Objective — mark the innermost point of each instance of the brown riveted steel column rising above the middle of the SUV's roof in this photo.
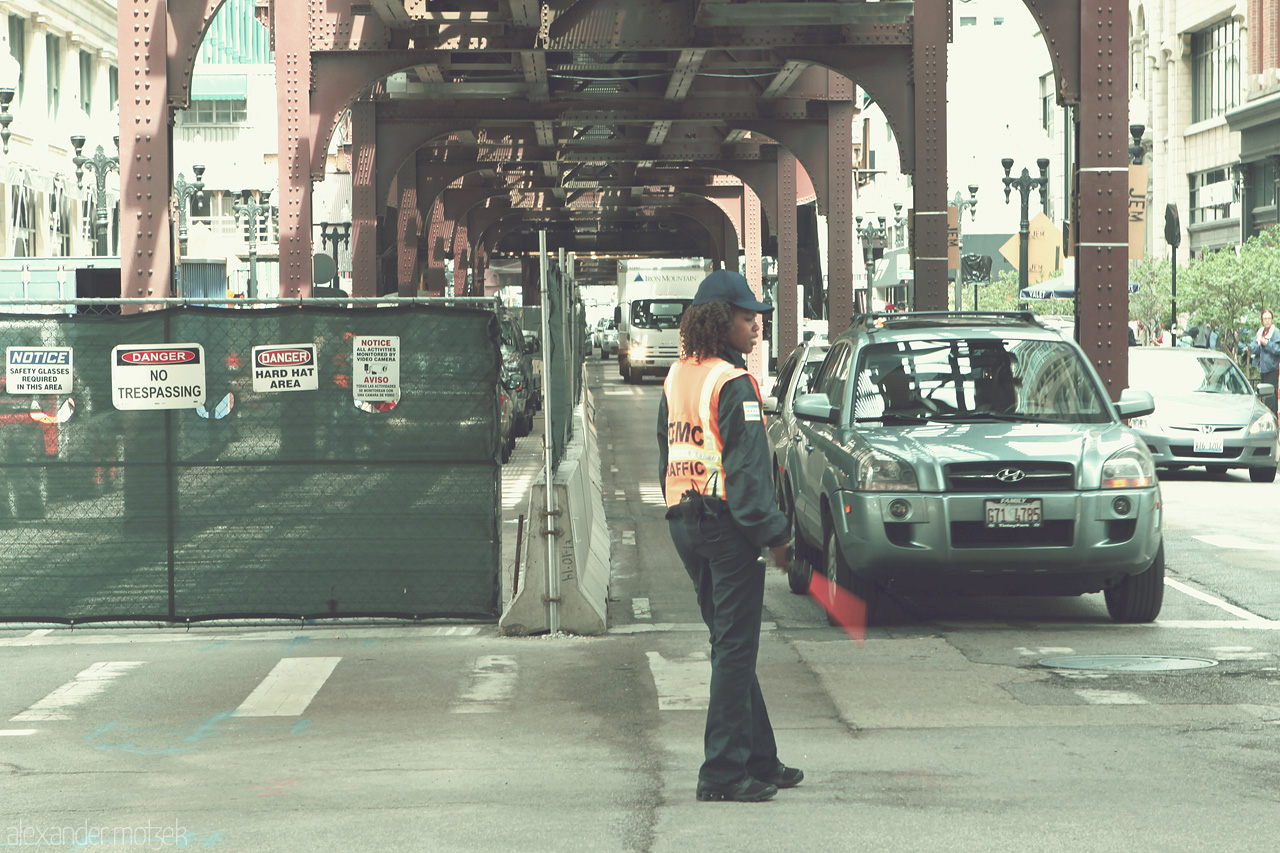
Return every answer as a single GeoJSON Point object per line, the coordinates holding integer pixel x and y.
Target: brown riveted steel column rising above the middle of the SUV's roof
{"type": "Point", "coordinates": [930, 72]}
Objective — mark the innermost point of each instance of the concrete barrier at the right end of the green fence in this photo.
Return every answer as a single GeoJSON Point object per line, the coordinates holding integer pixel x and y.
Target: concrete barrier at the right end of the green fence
{"type": "Point", "coordinates": [582, 544]}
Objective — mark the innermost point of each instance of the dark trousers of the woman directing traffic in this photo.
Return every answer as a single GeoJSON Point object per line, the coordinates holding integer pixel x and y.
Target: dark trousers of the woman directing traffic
{"type": "Point", "coordinates": [730, 583]}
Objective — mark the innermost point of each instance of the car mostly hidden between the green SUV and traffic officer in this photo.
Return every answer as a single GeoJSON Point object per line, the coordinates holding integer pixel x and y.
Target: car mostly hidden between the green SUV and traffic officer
{"type": "Point", "coordinates": [794, 378]}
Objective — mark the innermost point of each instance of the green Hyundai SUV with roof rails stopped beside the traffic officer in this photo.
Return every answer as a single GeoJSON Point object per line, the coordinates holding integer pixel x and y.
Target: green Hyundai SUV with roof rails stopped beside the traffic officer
{"type": "Point", "coordinates": [952, 454]}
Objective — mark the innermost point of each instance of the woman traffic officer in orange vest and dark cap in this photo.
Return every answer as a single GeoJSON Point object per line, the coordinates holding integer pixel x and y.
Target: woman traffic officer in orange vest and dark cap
{"type": "Point", "coordinates": [717, 480]}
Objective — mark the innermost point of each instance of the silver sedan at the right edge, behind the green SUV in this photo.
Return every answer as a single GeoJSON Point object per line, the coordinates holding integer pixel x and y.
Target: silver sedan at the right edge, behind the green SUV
{"type": "Point", "coordinates": [1206, 413]}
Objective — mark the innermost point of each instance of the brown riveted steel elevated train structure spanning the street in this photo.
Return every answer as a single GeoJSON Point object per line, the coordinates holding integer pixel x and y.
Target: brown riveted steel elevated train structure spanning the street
{"type": "Point", "coordinates": [620, 127]}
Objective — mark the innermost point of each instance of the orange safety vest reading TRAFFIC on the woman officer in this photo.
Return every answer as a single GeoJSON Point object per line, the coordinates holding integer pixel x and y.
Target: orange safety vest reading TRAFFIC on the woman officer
{"type": "Point", "coordinates": [694, 445]}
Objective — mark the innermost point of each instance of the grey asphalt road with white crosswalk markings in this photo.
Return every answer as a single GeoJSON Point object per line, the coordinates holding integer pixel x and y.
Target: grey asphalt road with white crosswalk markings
{"type": "Point", "coordinates": [944, 732]}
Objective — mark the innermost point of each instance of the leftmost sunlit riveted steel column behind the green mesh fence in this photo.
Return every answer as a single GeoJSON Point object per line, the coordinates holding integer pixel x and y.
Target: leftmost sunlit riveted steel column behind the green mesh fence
{"type": "Point", "coordinates": [147, 256]}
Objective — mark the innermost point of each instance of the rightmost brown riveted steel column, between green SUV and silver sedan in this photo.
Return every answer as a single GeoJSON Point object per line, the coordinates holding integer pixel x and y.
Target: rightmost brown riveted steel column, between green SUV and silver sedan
{"type": "Point", "coordinates": [1103, 181]}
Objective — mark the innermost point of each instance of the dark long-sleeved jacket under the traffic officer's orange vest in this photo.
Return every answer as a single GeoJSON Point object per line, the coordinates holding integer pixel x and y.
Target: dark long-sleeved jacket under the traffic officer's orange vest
{"type": "Point", "coordinates": [748, 472]}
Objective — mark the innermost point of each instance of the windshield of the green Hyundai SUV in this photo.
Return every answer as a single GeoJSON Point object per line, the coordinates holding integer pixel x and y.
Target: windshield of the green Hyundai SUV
{"type": "Point", "coordinates": [976, 380]}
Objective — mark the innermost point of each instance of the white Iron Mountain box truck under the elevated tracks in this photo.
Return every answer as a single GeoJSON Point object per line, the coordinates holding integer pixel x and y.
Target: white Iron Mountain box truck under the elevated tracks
{"type": "Point", "coordinates": [652, 298]}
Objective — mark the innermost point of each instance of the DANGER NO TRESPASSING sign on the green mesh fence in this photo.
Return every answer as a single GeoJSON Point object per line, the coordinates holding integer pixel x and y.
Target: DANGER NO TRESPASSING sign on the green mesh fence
{"type": "Point", "coordinates": [158, 376]}
